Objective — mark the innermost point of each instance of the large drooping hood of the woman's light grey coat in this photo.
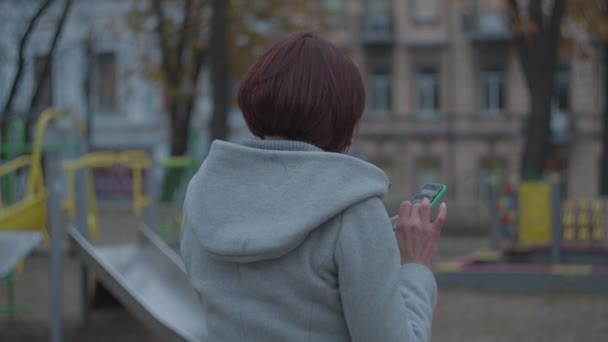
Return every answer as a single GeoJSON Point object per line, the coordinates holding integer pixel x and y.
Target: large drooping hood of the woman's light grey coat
{"type": "Point", "coordinates": [260, 199]}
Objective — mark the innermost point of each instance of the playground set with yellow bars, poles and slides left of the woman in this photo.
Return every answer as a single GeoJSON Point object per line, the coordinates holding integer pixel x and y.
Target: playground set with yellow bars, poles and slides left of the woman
{"type": "Point", "coordinates": [146, 275]}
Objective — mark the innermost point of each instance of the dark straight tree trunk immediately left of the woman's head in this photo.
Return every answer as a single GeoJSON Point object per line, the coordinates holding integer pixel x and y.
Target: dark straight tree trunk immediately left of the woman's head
{"type": "Point", "coordinates": [219, 70]}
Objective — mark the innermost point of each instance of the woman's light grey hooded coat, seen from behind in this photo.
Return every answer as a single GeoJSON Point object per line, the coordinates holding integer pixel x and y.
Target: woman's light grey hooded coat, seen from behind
{"type": "Point", "coordinates": [286, 242]}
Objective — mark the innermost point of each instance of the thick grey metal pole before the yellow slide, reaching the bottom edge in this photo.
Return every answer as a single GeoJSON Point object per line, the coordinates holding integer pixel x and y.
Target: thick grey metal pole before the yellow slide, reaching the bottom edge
{"type": "Point", "coordinates": [57, 234]}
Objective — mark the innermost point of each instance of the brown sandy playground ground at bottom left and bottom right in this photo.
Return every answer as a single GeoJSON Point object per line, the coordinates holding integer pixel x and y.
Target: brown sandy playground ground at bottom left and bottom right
{"type": "Point", "coordinates": [461, 315]}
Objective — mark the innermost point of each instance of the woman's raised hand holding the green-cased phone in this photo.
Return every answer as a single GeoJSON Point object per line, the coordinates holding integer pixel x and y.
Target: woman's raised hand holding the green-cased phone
{"type": "Point", "coordinates": [418, 237]}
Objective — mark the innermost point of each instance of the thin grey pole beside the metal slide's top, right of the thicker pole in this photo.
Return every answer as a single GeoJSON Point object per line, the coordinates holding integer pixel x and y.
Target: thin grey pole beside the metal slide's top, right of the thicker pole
{"type": "Point", "coordinates": [83, 227]}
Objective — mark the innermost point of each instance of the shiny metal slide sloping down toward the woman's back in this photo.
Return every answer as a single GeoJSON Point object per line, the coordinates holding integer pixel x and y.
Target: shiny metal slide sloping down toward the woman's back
{"type": "Point", "coordinates": [149, 279]}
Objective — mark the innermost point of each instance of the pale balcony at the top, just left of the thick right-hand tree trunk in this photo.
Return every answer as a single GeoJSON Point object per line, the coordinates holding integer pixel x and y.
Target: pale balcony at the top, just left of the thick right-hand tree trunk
{"type": "Point", "coordinates": [486, 25]}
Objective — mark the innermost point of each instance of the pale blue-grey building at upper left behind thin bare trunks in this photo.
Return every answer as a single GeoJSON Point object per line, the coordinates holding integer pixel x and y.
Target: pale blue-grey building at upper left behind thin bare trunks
{"type": "Point", "coordinates": [96, 70]}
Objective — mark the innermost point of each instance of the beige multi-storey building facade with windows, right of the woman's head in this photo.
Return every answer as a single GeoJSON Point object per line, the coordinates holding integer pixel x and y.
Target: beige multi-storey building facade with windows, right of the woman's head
{"type": "Point", "coordinates": [447, 99]}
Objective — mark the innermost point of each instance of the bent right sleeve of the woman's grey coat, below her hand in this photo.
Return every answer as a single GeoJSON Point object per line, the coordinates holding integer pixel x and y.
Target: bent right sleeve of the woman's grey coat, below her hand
{"type": "Point", "coordinates": [382, 299]}
